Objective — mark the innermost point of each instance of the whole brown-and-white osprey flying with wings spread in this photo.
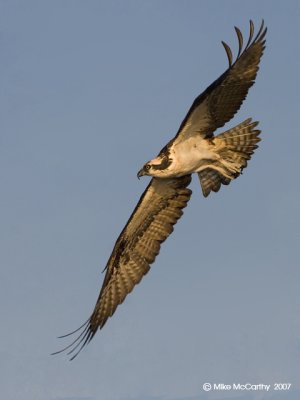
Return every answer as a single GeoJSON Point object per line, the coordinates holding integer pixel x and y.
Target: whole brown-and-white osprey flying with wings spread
{"type": "Point", "coordinates": [216, 159]}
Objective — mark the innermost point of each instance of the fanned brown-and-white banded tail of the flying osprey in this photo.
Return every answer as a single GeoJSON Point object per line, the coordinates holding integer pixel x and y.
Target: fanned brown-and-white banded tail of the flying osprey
{"type": "Point", "coordinates": [234, 147]}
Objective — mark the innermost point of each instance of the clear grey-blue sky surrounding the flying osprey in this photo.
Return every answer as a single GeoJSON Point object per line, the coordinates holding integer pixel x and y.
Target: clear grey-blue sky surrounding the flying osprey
{"type": "Point", "coordinates": [90, 90]}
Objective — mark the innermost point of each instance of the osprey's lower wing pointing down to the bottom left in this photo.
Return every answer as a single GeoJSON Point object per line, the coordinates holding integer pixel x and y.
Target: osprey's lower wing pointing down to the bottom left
{"type": "Point", "coordinates": [150, 224]}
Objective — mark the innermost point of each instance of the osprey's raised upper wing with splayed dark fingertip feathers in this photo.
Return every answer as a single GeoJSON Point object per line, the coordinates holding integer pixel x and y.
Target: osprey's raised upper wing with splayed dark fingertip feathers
{"type": "Point", "coordinates": [223, 98]}
